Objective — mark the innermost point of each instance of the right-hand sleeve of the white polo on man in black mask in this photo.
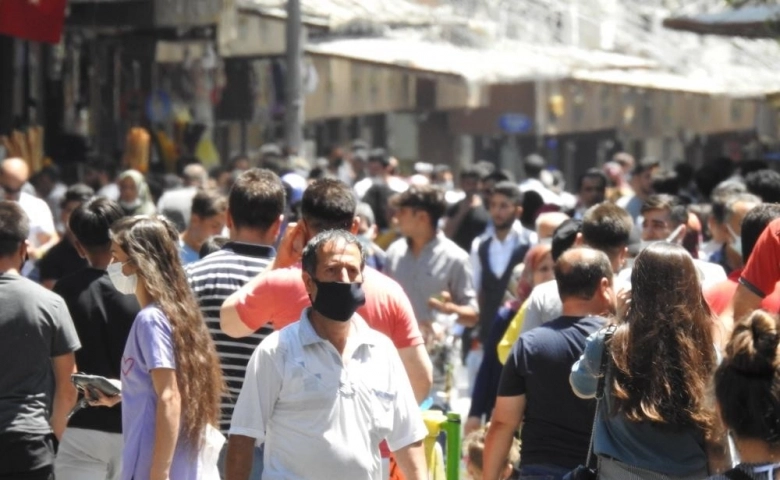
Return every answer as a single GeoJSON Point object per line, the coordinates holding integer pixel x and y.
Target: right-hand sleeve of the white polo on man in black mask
{"type": "Point", "coordinates": [408, 425]}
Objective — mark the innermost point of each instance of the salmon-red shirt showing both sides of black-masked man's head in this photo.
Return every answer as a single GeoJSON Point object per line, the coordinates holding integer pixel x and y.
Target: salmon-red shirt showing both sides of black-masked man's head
{"type": "Point", "coordinates": [281, 296]}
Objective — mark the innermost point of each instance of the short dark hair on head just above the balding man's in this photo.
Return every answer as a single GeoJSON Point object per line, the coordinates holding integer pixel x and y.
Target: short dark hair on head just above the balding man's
{"type": "Point", "coordinates": [606, 227]}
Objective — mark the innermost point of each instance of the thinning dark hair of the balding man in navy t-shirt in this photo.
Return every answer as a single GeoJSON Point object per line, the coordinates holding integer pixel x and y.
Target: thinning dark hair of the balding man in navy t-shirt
{"type": "Point", "coordinates": [579, 272]}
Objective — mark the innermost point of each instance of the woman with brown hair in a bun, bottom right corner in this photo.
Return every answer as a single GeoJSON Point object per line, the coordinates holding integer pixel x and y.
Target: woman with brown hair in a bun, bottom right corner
{"type": "Point", "coordinates": [747, 387]}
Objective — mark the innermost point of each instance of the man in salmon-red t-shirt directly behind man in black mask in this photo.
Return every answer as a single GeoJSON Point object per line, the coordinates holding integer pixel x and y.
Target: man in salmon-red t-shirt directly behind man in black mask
{"type": "Point", "coordinates": [278, 295]}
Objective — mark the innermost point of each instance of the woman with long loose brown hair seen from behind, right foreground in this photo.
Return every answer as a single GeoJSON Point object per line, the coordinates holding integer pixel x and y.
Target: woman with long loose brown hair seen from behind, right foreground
{"type": "Point", "coordinates": [656, 420]}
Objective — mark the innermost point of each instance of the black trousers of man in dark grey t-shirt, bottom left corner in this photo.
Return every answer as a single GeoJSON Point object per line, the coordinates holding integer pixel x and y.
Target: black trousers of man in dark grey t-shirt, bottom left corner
{"type": "Point", "coordinates": [27, 456]}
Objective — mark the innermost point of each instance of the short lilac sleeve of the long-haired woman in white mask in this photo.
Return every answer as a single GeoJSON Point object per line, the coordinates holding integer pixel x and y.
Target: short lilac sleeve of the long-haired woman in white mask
{"type": "Point", "coordinates": [155, 340]}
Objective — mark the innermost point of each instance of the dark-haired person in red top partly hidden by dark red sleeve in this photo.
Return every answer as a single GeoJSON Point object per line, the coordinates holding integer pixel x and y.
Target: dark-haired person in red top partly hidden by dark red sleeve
{"type": "Point", "coordinates": [719, 295]}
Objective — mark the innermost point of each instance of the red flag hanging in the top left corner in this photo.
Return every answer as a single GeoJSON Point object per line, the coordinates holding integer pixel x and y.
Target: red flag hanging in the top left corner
{"type": "Point", "coordinates": [37, 20]}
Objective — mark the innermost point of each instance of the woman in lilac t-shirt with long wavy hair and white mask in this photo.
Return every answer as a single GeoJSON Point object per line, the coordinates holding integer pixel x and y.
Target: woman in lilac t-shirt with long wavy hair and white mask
{"type": "Point", "coordinates": [171, 378]}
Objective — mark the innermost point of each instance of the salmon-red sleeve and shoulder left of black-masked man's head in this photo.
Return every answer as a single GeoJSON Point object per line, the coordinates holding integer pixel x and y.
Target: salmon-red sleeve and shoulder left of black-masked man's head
{"type": "Point", "coordinates": [279, 299]}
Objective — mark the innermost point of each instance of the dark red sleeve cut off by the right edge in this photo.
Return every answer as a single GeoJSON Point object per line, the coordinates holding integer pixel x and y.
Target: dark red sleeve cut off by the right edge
{"type": "Point", "coordinates": [762, 271]}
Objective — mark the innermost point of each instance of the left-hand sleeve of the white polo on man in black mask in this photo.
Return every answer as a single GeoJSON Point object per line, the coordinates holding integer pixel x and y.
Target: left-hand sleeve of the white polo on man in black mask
{"type": "Point", "coordinates": [262, 384]}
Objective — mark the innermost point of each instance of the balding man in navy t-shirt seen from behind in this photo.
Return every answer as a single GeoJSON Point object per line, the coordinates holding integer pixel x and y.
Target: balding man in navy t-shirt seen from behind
{"type": "Point", "coordinates": [534, 388]}
